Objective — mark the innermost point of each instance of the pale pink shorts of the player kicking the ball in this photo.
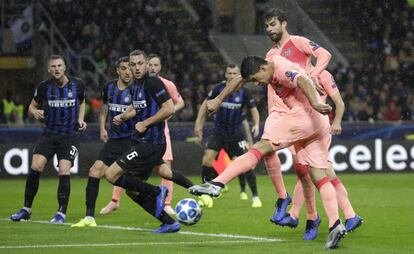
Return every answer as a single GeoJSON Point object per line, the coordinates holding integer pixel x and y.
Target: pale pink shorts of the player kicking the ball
{"type": "Point", "coordinates": [306, 129]}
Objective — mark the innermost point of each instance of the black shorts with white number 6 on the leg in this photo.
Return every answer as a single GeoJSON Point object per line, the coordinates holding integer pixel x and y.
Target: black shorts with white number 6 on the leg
{"type": "Point", "coordinates": [139, 160]}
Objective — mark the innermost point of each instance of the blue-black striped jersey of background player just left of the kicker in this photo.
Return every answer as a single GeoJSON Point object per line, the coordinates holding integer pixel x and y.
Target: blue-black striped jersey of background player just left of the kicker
{"type": "Point", "coordinates": [229, 118]}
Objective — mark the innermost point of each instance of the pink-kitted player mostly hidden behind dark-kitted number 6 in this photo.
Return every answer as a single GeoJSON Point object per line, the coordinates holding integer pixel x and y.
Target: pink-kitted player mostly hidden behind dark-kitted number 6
{"type": "Point", "coordinates": [154, 66]}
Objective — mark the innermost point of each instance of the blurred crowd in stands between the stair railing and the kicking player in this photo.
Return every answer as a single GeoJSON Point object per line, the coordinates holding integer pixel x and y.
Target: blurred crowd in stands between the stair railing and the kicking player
{"type": "Point", "coordinates": [106, 30]}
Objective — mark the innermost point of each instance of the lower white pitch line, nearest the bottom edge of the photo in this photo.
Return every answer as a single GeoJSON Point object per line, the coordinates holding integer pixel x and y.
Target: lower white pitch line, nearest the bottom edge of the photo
{"type": "Point", "coordinates": [122, 244]}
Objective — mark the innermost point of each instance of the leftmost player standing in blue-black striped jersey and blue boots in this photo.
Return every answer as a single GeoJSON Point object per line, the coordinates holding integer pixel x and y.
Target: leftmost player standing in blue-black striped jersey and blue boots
{"type": "Point", "coordinates": [59, 102]}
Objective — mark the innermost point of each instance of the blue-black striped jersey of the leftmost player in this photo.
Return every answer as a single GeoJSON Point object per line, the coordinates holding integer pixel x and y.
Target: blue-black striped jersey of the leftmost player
{"type": "Point", "coordinates": [60, 105]}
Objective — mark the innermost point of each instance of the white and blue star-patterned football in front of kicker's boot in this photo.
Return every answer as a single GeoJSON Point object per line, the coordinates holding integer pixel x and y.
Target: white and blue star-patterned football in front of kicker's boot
{"type": "Point", "coordinates": [188, 211]}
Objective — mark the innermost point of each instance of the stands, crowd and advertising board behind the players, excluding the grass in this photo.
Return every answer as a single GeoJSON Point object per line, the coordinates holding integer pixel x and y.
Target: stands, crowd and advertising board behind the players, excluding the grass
{"type": "Point", "coordinates": [371, 43]}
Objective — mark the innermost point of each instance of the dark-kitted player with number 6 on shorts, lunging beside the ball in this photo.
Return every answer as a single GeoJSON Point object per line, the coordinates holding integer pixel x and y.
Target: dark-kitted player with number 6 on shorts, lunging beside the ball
{"type": "Point", "coordinates": [151, 107]}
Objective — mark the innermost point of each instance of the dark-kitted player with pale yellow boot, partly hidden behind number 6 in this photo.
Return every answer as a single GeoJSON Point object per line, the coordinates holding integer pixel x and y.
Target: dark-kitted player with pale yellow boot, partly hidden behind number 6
{"type": "Point", "coordinates": [116, 98]}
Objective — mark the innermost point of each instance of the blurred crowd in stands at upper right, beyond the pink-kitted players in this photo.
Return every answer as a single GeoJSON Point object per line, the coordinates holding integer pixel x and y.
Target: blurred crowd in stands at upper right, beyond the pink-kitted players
{"type": "Point", "coordinates": [382, 88]}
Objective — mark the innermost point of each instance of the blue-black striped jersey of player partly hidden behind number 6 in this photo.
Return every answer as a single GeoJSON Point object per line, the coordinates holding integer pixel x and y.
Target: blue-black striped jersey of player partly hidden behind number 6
{"type": "Point", "coordinates": [118, 101]}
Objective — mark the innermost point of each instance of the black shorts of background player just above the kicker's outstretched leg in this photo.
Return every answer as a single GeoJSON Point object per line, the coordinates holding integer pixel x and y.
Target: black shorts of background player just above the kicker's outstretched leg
{"type": "Point", "coordinates": [235, 146]}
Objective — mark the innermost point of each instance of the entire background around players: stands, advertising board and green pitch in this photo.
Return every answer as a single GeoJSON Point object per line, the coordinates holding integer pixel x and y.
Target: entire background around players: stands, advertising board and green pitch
{"type": "Point", "coordinates": [373, 59]}
